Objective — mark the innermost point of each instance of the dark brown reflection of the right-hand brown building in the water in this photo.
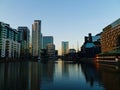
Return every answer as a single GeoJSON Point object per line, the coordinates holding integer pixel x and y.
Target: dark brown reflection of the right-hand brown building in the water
{"type": "Point", "coordinates": [110, 77]}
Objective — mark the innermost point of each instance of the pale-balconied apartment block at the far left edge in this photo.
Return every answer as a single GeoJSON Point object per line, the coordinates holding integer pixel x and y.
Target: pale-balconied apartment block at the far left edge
{"type": "Point", "coordinates": [9, 45]}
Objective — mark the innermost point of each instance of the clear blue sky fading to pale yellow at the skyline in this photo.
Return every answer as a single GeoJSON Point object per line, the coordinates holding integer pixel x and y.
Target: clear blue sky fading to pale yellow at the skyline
{"type": "Point", "coordinates": [65, 20]}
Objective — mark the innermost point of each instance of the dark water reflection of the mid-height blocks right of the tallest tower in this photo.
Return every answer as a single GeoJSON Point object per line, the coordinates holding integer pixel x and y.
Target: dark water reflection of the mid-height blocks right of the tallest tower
{"type": "Point", "coordinates": [47, 75]}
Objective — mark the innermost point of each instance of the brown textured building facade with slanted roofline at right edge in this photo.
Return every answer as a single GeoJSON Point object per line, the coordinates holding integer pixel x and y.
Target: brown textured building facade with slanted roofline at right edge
{"type": "Point", "coordinates": [110, 38]}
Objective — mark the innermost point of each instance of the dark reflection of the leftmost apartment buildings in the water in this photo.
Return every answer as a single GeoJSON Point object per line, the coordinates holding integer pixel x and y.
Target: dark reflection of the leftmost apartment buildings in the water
{"type": "Point", "coordinates": [13, 76]}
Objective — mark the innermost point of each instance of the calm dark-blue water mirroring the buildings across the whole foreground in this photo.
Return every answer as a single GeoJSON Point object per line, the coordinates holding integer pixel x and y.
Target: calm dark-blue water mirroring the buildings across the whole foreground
{"type": "Point", "coordinates": [58, 75]}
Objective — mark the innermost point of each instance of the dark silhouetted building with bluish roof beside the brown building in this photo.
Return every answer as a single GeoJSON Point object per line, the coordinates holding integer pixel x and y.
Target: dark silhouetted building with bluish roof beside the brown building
{"type": "Point", "coordinates": [91, 46]}
